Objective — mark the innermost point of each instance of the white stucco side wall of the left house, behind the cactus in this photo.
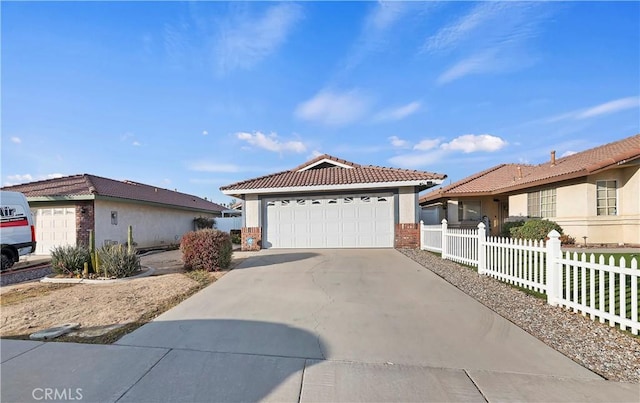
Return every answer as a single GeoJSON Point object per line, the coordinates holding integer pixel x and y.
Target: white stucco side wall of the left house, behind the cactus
{"type": "Point", "coordinates": [152, 226]}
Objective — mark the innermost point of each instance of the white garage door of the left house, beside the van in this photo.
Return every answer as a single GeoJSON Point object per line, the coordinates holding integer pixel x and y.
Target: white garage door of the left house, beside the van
{"type": "Point", "coordinates": [54, 227]}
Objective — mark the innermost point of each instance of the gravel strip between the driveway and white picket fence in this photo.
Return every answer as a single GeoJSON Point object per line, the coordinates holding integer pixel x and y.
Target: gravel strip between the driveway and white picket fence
{"type": "Point", "coordinates": [607, 351]}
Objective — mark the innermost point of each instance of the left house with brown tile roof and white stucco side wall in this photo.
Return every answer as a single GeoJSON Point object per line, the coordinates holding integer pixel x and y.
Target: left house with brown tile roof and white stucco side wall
{"type": "Point", "coordinates": [66, 208]}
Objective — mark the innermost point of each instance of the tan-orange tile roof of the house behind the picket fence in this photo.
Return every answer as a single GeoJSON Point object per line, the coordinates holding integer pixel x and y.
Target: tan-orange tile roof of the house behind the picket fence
{"type": "Point", "coordinates": [510, 177]}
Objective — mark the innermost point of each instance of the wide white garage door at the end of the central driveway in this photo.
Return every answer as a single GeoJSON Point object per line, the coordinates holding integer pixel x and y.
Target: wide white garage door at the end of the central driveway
{"type": "Point", "coordinates": [330, 222]}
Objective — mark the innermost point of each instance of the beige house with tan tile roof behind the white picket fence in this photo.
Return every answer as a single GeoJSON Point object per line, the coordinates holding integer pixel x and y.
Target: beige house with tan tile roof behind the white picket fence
{"type": "Point", "coordinates": [593, 194]}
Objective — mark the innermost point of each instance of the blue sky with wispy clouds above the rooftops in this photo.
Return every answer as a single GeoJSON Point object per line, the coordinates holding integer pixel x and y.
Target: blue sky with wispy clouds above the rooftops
{"type": "Point", "coordinates": [193, 96]}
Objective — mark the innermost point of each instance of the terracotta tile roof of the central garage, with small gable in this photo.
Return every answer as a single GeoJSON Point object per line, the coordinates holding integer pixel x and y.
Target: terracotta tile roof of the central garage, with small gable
{"type": "Point", "coordinates": [334, 175]}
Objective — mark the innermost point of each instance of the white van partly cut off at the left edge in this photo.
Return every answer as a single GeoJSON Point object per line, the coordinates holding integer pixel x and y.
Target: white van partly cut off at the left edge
{"type": "Point", "coordinates": [17, 231]}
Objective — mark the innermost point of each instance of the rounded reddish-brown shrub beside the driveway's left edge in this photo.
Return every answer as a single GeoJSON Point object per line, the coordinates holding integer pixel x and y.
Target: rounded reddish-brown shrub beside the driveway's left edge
{"type": "Point", "coordinates": [206, 249]}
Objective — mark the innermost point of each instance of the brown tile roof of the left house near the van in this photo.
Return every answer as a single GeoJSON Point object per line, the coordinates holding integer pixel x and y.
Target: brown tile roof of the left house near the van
{"type": "Point", "coordinates": [86, 185]}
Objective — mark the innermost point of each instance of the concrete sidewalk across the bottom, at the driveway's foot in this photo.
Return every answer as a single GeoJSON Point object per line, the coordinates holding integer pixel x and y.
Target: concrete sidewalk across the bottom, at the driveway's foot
{"type": "Point", "coordinates": [36, 371]}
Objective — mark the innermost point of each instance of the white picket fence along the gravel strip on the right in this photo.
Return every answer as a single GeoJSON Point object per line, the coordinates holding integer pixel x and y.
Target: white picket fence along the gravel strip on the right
{"type": "Point", "coordinates": [575, 281]}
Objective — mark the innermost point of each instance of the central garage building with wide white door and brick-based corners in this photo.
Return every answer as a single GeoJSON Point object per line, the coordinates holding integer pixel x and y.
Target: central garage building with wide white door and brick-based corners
{"type": "Point", "coordinates": [332, 203]}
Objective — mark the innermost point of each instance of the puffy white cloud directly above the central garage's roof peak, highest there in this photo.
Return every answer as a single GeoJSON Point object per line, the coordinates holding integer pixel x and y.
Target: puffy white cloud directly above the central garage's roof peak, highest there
{"type": "Point", "coordinates": [334, 108]}
